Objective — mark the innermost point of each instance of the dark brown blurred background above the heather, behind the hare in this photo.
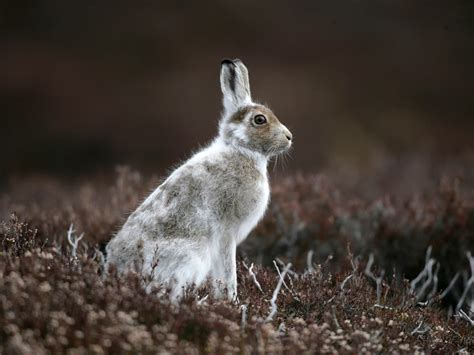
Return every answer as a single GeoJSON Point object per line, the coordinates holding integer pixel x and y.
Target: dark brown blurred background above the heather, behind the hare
{"type": "Point", "coordinates": [86, 85]}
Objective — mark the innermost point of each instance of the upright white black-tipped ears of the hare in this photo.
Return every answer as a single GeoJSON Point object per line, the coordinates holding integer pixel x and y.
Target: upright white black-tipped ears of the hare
{"type": "Point", "coordinates": [235, 84]}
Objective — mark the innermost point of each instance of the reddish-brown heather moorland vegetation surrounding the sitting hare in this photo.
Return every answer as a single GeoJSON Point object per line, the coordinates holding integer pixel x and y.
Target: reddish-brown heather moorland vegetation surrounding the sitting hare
{"type": "Point", "coordinates": [54, 302]}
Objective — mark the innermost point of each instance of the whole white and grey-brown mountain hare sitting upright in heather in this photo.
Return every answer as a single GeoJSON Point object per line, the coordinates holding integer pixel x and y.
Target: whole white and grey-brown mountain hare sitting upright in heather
{"type": "Point", "coordinates": [188, 229]}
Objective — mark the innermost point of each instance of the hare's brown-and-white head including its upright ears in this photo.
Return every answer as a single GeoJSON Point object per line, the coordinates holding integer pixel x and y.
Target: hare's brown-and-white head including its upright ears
{"type": "Point", "coordinates": [245, 123]}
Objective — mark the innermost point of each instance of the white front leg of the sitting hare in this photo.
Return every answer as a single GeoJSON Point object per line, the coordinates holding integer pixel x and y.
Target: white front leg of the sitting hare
{"type": "Point", "coordinates": [225, 270]}
